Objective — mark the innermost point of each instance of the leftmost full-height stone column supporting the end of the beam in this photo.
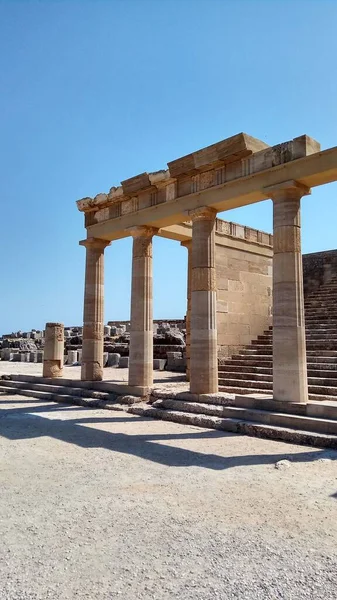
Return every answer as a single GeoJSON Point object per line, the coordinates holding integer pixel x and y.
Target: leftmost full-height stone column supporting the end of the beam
{"type": "Point", "coordinates": [93, 313]}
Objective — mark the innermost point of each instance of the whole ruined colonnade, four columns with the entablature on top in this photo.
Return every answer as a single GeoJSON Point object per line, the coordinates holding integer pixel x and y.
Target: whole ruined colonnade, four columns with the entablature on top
{"type": "Point", "coordinates": [182, 203]}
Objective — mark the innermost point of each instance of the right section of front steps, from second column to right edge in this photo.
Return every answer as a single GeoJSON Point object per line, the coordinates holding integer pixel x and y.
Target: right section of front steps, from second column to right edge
{"type": "Point", "coordinates": [312, 424]}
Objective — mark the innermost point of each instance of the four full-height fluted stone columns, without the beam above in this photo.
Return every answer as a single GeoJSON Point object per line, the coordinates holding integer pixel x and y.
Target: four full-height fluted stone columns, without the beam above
{"type": "Point", "coordinates": [289, 353]}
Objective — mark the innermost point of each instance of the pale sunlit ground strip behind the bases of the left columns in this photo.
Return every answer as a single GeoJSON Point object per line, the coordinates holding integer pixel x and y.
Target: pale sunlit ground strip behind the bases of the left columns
{"type": "Point", "coordinates": [162, 379]}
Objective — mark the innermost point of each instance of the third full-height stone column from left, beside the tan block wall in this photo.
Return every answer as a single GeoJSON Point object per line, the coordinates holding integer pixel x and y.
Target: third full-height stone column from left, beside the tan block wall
{"type": "Point", "coordinates": [204, 351]}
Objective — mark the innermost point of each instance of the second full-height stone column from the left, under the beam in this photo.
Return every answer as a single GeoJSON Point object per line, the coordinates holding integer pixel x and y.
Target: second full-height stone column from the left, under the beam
{"type": "Point", "coordinates": [141, 326]}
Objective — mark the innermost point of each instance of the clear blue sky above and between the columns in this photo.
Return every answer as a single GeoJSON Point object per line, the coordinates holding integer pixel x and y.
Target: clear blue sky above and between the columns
{"type": "Point", "coordinates": [96, 92]}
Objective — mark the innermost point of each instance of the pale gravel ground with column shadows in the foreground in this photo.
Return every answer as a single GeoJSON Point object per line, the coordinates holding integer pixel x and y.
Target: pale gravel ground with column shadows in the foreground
{"type": "Point", "coordinates": [101, 505]}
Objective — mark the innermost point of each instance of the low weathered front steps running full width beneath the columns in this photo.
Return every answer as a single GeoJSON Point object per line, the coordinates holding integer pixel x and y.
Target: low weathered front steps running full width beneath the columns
{"type": "Point", "coordinates": [314, 424]}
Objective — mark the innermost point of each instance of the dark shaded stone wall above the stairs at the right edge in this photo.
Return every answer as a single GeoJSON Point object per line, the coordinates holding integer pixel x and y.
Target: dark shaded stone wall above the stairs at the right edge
{"type": "Point", "coordinates": [318, 268]}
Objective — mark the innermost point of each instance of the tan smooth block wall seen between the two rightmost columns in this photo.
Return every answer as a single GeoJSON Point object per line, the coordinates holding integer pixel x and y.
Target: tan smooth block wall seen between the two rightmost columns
{"type": "Point", "coordinates": [244, 285]}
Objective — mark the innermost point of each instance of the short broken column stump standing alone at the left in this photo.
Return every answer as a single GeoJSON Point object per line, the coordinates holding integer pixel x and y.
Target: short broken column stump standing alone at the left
{"type": "Point", "coordinates": [53, 350]}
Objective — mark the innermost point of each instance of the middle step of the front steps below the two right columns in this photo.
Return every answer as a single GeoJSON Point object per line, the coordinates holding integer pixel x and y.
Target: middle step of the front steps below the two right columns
{"type": "Point", "coordinates": [294, 421]}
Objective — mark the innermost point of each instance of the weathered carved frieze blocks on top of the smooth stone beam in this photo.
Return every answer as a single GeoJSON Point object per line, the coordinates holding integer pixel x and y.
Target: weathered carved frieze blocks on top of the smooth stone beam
{"type": "Point", "coordinates": [237, 157]}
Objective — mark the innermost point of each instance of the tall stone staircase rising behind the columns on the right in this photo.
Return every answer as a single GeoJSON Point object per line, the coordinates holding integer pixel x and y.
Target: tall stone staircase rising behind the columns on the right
{"type": "Point", "coordinates": [251, 370]}
